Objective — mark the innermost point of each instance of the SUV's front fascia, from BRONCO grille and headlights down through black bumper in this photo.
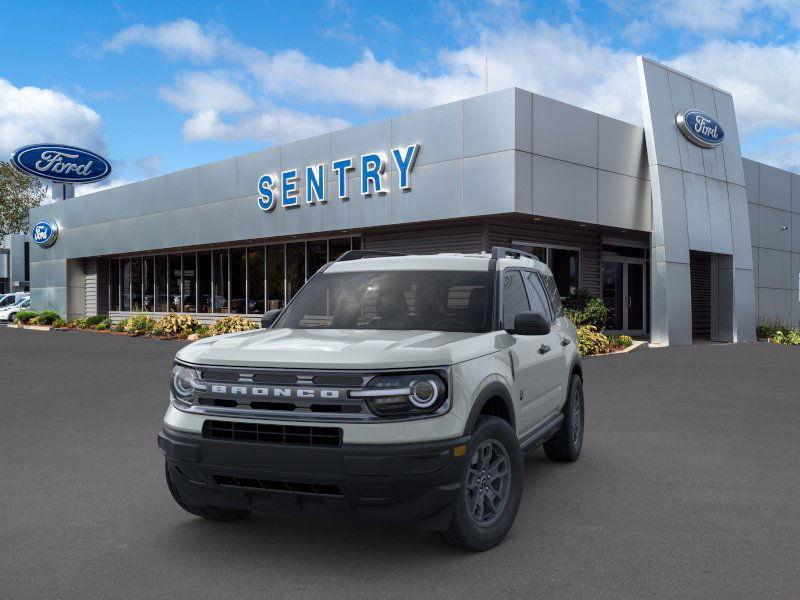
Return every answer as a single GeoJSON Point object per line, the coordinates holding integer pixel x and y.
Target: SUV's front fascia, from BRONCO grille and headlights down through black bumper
{"type": "Point", "coordinates": [383, 444]}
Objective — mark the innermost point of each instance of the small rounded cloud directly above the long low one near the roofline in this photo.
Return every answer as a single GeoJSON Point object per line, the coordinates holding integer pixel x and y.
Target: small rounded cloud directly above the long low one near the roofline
{"type": "Point", "coordinates": [198, 90]}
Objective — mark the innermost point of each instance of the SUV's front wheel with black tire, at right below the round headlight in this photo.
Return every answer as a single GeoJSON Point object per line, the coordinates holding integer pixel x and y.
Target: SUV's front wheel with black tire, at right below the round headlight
{"type": "Point", "coordinates": [478, 532]}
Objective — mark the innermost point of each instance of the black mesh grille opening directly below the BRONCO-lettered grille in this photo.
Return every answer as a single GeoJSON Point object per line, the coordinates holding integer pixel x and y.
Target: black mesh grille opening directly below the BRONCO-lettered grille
{"type": "Point", "coordinates": [262, 433]}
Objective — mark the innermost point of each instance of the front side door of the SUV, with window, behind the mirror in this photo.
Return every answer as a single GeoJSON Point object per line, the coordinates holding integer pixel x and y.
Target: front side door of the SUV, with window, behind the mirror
{"type": "Point", "coordinates": [529, 354]}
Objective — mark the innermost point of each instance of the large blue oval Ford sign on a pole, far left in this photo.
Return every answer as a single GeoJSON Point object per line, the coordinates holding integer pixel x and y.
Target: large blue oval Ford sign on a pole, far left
{"type": "Point", "coordinates": [65, 164]}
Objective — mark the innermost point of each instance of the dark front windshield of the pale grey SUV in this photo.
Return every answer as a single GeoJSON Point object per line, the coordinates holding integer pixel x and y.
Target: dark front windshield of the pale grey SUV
{"type": "Point", "coordinates": [404, 300]}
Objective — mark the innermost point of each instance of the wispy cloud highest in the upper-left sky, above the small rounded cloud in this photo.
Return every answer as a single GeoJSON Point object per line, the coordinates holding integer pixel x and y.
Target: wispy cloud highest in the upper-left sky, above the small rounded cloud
{"type": "Point", "coordinates": [181, 38]}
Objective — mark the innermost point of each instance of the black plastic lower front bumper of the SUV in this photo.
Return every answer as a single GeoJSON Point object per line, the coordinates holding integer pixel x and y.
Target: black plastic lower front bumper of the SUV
{"type": "Point", "coordinates": [396, 482]}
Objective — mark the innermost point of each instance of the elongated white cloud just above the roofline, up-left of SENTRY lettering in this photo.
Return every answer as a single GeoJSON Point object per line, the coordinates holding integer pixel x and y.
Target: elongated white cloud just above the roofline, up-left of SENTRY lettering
{"type": "Point", "coordinates": [276, 126]}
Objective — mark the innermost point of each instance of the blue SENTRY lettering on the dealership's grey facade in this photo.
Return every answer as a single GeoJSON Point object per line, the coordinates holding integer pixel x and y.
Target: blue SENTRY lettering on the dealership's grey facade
{"type": "Point", "coordinates": [284, 189]}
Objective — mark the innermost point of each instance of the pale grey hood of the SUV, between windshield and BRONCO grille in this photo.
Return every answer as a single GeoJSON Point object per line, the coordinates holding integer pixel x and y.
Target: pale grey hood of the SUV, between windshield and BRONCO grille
{"type": "Point", "coordinates": [339, 348]}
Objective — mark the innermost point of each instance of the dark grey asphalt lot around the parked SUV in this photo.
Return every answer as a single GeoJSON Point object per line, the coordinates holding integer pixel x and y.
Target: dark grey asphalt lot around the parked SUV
{"type": "Point", "coordinates": [688, 487]}
